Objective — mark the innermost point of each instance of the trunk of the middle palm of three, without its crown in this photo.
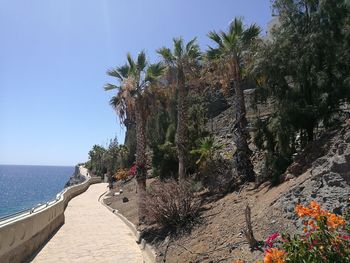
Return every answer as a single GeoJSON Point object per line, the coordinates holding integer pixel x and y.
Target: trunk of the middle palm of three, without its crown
{"type": "Point", "coordinates": [182, 123]}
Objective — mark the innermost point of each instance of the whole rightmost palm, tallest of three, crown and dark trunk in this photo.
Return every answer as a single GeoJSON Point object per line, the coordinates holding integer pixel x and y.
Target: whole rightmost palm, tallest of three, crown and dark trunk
{"type": "Point", "coordinates": [231, 49]}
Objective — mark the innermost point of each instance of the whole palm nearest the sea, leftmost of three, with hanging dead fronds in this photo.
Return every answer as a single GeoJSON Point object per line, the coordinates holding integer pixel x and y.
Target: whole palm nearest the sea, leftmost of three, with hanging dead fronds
{"type": "Point", "coordinates": [131, 101]}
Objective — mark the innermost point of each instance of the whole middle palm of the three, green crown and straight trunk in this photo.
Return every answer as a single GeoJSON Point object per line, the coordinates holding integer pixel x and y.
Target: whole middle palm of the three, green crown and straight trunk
{"type": "Point", "coordinates": [184, 60]}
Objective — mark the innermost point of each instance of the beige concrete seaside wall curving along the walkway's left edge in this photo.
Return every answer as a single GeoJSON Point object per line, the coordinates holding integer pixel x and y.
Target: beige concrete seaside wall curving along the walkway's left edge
{"type": "Point", "coordinates": [23, 235]}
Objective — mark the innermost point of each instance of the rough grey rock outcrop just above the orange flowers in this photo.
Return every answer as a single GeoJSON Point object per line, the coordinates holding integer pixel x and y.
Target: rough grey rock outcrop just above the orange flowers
{"type": "Point", "coordinates": [329, 180]}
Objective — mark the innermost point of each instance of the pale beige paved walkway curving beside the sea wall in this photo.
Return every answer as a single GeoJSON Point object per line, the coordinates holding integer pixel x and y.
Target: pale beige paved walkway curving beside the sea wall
{"type": "Point", "coordinates": [91, 233]}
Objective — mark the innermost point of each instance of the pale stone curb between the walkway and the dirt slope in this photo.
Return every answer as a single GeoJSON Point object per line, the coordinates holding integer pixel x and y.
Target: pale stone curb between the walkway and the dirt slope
{"type": "Point", "coordinates": [148, 252]}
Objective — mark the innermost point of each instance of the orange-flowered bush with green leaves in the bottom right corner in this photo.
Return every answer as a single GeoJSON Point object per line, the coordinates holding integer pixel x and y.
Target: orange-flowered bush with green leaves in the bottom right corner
{"type": "Point", "coordinates": [325, 239]}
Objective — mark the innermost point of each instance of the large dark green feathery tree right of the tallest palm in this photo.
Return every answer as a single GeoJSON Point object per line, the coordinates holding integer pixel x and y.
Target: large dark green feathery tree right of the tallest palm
{"type": "Point", "coordinates": [305, 67]}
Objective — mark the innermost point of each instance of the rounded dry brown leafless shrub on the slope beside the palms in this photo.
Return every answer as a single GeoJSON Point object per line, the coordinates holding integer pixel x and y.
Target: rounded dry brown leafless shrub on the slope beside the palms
{"type": "Point", "coordinates": [172, 205]}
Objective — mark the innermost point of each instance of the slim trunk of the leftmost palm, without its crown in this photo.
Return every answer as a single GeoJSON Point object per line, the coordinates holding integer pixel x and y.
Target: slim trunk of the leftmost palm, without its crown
{"type": "Point", "coordinates": [141, 162]}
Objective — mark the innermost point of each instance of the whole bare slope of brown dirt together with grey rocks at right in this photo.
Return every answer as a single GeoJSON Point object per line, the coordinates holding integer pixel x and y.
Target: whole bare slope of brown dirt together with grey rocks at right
{"type": "Point", "coordinates": [218, 235]}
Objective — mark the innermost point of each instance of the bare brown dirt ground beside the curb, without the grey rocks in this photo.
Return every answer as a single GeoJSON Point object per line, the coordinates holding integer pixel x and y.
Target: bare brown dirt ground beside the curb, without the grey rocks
{"type": "Point", "coordinates": [218, 236]}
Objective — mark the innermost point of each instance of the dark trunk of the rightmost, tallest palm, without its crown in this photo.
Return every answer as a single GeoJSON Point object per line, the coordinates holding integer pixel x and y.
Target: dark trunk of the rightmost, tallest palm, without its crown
{"type": "Point", "coordinates": [241, 158]}
